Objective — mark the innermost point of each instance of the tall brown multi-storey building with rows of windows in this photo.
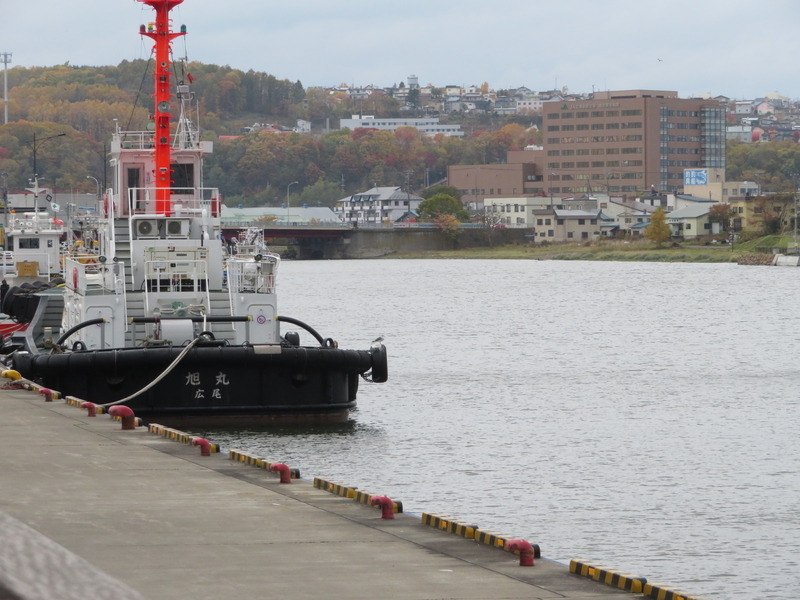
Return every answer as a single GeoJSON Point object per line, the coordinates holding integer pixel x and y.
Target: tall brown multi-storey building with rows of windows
{"type": "Point", "coordinates": [629, 141]}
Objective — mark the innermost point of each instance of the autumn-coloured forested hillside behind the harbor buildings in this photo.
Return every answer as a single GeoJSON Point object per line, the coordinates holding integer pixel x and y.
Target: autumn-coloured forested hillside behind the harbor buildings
{"type": "Point", "coordinates": [87, 103]}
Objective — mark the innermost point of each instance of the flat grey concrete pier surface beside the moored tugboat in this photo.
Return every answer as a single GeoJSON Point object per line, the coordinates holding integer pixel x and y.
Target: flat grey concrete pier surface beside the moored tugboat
{"type": "Point", "coordinates": [158, 517]}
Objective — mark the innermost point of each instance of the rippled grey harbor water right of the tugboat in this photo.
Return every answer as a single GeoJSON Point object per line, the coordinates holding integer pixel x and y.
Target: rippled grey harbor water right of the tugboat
{"type": "Point", "coordinates": [641, 416]}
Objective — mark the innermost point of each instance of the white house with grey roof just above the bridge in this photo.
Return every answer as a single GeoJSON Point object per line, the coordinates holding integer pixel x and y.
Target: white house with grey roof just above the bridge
{"type": "Point", "coordinates": [378, 205]}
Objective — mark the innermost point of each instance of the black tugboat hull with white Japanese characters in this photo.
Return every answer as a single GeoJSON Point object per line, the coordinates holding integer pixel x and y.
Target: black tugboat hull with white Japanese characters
{"type": "Point", "coordinates": [213, 384]}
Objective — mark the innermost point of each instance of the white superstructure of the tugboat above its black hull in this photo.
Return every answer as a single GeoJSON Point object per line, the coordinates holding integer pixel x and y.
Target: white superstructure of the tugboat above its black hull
{"type": "Point", "coordinates": [161, 261]}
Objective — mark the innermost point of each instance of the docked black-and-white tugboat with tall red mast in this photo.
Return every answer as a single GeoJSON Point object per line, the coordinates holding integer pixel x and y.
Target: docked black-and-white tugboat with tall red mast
{"type": "Point", "coordinates": [163, 321]}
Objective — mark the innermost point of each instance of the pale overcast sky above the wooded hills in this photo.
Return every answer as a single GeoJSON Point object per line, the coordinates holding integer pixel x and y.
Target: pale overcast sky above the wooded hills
{"type": "Point", "coordinates": [725, 47]}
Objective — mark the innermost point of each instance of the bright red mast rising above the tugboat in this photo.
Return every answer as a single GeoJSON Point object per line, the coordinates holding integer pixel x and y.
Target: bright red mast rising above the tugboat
{"type": "Point", "coordinates": [162, 35]}
